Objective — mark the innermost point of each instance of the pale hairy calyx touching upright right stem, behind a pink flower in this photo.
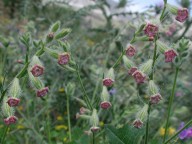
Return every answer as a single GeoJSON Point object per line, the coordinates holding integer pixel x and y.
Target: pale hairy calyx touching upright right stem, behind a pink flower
{"type": "Point", "coordinates": [146, 67]}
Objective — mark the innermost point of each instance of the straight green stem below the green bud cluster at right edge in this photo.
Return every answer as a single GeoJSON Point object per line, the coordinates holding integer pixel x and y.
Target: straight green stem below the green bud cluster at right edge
{"type": "Point", "coordinates": [170, 103]}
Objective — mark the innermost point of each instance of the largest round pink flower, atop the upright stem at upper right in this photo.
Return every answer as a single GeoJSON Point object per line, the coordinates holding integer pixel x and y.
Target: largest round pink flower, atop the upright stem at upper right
{"type": "Point", "coordinates": [151, 30]}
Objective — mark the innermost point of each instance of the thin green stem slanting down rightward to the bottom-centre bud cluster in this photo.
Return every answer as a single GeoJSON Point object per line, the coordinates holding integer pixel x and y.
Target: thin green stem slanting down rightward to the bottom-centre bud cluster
{"type": "Point", "coordinates": [85, 97]}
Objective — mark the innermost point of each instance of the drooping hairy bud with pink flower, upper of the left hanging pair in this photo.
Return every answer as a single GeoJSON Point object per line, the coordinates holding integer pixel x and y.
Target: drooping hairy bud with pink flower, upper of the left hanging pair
{"type": "Point", "coordinates": [37, 68]}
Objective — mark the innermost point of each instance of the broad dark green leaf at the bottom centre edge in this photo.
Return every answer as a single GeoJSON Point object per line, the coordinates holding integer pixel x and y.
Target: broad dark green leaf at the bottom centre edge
{"type": "Point", "coordinates": [125, 135]}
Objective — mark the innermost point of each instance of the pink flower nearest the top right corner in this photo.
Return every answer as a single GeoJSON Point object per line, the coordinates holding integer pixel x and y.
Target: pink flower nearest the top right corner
{"type": "Point", "coordinates": [182, 15]}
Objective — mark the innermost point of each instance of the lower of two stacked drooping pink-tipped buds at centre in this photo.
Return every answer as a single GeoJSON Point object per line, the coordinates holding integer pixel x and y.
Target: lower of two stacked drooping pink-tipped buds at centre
{"type": "Point", "coordinates": [105, 104]}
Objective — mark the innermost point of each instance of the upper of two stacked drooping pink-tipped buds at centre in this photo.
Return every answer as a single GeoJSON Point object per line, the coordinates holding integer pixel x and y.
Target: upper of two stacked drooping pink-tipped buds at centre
{"type": "Point", "coordinates": [109, 80]}
